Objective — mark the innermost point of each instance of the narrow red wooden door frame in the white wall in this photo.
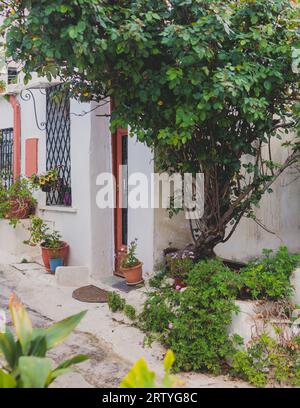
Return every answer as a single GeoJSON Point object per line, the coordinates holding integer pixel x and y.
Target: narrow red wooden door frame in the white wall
{"type": "Point", "coordinates": [120, 248]}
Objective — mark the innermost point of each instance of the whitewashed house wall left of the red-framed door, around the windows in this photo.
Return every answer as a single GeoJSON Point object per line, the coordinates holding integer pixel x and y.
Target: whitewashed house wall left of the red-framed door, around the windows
{"type": "Point", "coordinates": [87, 229]}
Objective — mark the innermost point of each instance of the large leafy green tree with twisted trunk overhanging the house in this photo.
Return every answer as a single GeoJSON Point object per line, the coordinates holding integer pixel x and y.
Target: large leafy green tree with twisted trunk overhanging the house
{"type": "Point", "coordinates": [206, 83]}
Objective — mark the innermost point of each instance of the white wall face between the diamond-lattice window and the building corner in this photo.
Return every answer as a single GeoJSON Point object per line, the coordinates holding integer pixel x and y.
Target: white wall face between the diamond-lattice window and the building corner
{"type": "Point", "coordinates": [74, 222]}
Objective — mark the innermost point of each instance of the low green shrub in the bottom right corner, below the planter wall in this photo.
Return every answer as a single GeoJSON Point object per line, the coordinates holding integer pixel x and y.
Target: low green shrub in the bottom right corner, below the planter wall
{"type": "Point", "coordinates": [267, 361]}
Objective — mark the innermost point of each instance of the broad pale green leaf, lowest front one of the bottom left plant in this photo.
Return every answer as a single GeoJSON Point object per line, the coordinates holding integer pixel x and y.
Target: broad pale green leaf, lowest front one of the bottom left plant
{"type": "Point", "coordinates": [34, 371]}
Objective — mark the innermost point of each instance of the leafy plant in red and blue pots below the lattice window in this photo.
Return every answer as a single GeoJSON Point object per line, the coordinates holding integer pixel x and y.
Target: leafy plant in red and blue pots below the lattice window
{"type": "Point", "coordinates": [52, 246]}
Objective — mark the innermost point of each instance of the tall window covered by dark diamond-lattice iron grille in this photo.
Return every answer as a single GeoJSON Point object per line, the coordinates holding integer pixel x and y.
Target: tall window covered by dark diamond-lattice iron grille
{"type": "Point", "coordinates": [58, 145]}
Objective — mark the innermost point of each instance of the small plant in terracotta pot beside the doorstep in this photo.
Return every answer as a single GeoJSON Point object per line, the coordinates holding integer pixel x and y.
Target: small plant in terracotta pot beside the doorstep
{"type": "Point", "coordinates": [131, 266]}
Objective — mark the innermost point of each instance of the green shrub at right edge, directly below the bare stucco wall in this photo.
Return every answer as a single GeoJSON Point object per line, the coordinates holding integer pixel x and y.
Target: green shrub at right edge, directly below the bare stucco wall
{"type": "Point", "coordinates": [269, 277]}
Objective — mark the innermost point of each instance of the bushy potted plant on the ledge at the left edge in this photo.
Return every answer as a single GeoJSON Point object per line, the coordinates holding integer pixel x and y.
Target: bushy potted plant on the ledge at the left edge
{"type": "Point", "coordinates": [17, 201]}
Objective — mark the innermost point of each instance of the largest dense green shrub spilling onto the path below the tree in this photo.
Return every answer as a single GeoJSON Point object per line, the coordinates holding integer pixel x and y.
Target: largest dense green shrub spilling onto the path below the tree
{"type": "Point", "coordinates": [194, 322]}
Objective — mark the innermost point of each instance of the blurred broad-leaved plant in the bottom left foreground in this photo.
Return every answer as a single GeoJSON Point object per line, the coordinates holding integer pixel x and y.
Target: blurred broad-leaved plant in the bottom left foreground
{"type": "Point", "coordinates": [26, 364]}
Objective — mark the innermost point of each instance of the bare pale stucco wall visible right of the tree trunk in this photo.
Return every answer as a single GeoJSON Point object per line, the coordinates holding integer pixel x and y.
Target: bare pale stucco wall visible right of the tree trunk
{"type": "Point", "coordinates": [279, 212]}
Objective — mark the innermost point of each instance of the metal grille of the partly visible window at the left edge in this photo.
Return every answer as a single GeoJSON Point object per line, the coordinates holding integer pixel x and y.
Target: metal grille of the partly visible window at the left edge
{"type": "Point", "coordinates": [6, 157]}
